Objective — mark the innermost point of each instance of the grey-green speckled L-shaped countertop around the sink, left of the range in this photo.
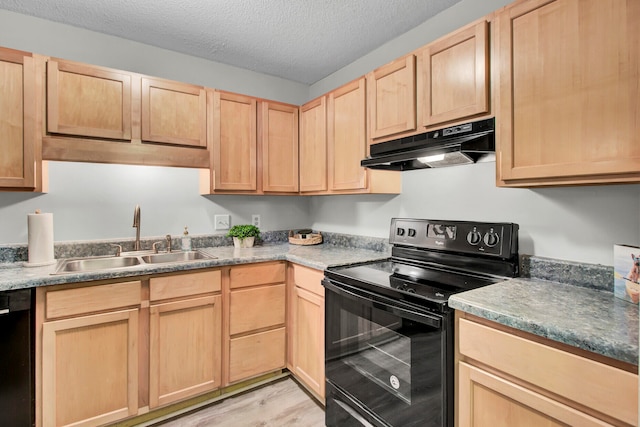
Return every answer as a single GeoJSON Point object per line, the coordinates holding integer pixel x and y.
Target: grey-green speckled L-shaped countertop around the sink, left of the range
{"type": "Point", "coordinates": [17, 276]}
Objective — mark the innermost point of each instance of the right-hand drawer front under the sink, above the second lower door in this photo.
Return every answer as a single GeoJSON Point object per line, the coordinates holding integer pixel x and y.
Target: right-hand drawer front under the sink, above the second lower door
{"type": "Point", "coordinates": [184, 285]}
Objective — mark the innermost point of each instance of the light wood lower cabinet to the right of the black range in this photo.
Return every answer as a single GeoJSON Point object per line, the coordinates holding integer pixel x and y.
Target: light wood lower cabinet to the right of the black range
{"type": "Point", "coordinates": [509, 378]}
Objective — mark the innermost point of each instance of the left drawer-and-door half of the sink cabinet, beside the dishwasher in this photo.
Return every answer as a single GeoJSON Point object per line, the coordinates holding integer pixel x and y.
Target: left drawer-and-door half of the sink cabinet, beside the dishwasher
{"type": "Point", "coordinates": [89, 360]}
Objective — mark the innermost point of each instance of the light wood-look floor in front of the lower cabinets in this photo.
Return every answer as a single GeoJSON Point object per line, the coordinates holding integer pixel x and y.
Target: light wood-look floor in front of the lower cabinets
{"type": "Point", "coordinates": [283, 403]}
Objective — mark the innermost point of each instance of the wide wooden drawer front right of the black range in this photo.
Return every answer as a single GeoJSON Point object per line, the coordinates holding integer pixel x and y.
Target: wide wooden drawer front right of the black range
{"type": "Point", "coordinates": [576, 378]}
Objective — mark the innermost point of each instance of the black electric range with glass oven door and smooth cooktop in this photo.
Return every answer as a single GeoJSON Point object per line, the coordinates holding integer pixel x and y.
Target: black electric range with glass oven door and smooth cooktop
{"type": "Point", "coordinates": [389, 332]}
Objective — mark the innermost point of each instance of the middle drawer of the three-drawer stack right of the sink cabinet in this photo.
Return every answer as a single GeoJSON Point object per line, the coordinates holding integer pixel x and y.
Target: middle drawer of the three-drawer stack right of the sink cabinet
{"type": "Point", "coordinates": [256, 308]}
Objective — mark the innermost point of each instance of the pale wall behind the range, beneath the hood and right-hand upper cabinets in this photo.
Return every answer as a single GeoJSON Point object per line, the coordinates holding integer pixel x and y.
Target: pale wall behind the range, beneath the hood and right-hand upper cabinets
{"type": "Point", "coordinates": [571, 223]}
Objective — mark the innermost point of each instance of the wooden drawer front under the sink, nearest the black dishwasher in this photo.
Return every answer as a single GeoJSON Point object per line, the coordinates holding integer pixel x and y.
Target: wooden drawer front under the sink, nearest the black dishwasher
{"type": "Point", "coordinates": [72, 302]}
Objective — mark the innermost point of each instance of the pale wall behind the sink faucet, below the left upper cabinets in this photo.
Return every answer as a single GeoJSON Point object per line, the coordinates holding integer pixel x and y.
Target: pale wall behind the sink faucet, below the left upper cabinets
{"type": "Point", "coordinates": [96, 201]}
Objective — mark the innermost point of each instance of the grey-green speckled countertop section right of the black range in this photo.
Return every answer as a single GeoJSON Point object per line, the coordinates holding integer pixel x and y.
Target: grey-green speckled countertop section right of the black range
{"type": "Point", "coordinates": [589, 319]}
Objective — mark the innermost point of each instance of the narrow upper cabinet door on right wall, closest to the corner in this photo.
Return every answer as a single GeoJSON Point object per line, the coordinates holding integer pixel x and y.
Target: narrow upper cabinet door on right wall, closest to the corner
{"type": "Point", "coordinates": [313, 146]}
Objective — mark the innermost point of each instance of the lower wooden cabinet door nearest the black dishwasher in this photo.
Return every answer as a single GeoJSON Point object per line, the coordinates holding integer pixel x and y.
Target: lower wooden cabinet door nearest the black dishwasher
{"type": "Point", "coordinates": [90, 369]}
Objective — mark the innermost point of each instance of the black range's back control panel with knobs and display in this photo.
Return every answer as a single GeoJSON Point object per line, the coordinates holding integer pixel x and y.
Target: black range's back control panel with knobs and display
{"type": "Point", "coordinates": [494, 239]}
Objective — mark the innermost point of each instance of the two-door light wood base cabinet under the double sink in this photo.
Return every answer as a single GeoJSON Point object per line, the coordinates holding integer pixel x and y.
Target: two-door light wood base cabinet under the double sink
{"type": "Point", "coordinates": [113, 350]}
